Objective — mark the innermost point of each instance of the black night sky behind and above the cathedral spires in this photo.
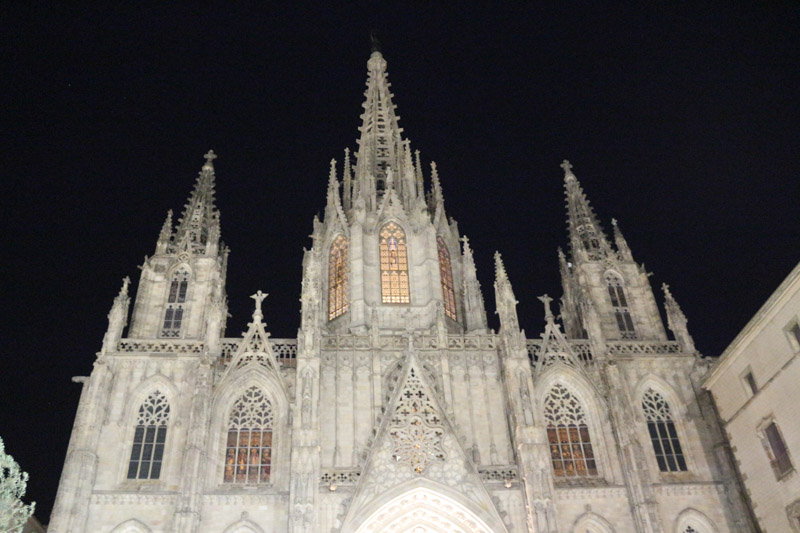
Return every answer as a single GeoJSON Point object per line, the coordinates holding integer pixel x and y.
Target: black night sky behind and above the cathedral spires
{"type": "Point", "coordinates": [683, 123]}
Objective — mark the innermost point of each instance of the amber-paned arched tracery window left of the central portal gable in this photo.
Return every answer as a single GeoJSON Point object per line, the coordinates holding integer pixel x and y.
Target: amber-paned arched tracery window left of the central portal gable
{"type": "Point", "coordinates": [248, 452]}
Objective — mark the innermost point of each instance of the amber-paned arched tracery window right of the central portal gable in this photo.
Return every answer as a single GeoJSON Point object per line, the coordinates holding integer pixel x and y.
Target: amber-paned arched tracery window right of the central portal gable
{"type": "Point", "coordinates": [568, 435]}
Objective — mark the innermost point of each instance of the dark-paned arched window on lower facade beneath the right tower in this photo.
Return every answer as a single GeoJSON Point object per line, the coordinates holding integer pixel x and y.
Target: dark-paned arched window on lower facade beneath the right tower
{"type": "Point", "coordinates": [663, 434]}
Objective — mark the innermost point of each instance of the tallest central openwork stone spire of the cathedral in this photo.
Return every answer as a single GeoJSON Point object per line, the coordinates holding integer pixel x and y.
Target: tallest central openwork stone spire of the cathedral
{"type": "Point", "coordinates": [380, 145]}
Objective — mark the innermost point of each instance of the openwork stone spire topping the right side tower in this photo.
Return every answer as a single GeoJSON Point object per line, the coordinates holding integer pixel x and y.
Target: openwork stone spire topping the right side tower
{"type": "Point", "coordinates": [584, 229]}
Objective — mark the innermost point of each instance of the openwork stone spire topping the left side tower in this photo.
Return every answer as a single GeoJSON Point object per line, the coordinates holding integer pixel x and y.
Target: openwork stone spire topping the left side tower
{"type": "Point", "coordinates": [200, 215]}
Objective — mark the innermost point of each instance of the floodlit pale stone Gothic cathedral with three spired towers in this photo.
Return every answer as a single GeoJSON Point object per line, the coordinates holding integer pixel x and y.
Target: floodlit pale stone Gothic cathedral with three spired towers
{"type": "Point", "coordinates": [396, 408]}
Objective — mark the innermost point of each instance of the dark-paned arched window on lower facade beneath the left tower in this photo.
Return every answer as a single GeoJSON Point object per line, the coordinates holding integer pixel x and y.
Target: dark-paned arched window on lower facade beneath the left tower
{"type": "Point", "coordinates": [147, 452]}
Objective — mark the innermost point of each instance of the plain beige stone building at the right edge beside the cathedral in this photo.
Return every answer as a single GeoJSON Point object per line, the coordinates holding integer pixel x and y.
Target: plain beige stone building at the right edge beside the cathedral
{"type": "Point", "coordinates": [755, 386]}
